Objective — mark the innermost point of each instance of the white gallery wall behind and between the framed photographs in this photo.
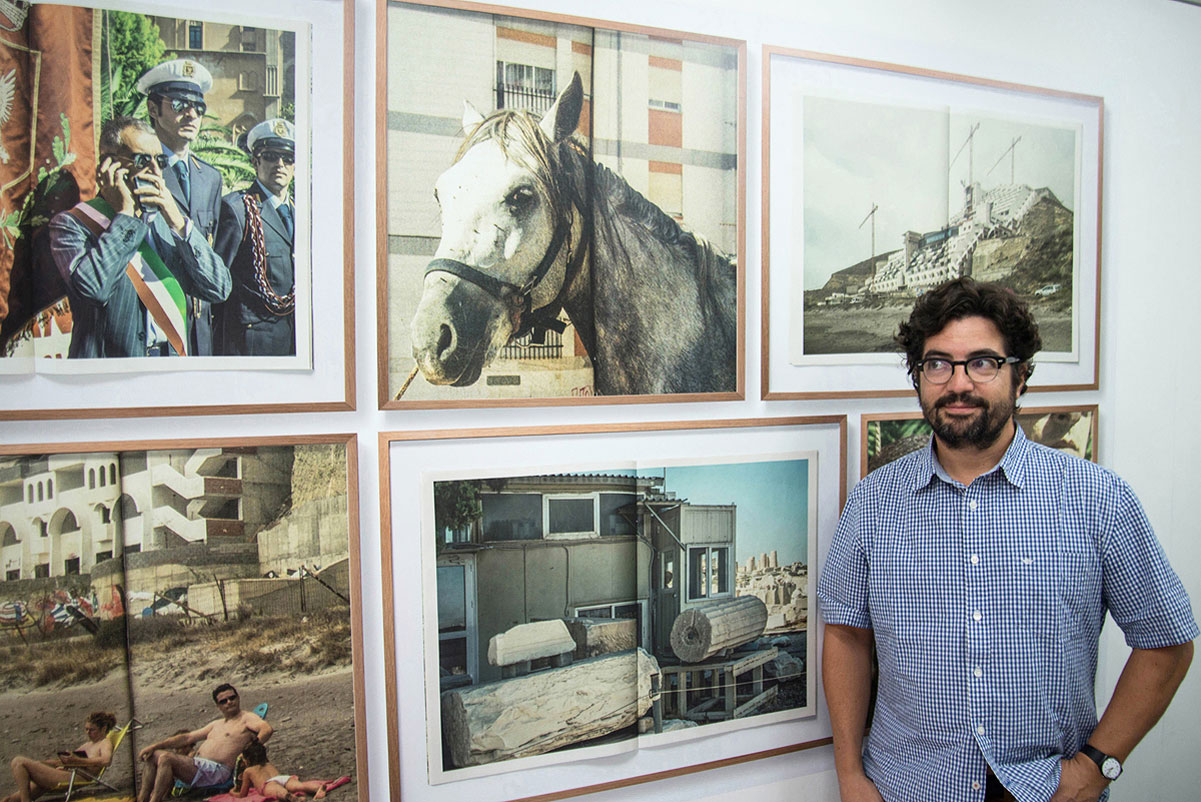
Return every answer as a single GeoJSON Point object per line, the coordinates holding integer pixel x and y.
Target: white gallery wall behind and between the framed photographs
{"type": "Point", "coordinates": [1140, 56]}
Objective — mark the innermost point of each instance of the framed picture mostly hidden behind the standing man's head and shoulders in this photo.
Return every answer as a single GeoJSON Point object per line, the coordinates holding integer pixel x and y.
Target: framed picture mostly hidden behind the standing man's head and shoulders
{"type": "Point", "coordinates": [891, 436]}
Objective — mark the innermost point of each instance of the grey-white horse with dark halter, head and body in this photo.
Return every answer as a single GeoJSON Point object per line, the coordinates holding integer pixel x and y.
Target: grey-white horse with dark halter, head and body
{"type": "Point", "coordinates": [530, 226]}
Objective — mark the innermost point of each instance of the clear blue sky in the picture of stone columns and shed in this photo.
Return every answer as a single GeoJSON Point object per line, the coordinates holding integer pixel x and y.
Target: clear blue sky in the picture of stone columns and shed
{"type": "Point", "coordinates": [773, 502]}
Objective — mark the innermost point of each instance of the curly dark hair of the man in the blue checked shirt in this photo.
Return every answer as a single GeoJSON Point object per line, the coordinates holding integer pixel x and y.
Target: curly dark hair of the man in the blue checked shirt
{"type": "Point", "coordinates": [965, 297]}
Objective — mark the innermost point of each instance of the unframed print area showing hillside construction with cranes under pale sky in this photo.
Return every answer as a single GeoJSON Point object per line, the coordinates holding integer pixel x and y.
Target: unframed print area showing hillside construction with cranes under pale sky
{"type": "Point", "coordinates": [899, 200]}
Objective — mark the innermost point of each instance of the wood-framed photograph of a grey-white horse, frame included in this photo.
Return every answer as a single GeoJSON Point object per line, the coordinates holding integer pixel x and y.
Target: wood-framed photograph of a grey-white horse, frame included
{"type": "Point", "coordinates": [561, 211]}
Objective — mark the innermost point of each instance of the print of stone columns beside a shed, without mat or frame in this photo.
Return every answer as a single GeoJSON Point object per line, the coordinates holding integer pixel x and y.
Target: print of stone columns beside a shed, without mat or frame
{"type": "Point", "coordinates": [596, 608]}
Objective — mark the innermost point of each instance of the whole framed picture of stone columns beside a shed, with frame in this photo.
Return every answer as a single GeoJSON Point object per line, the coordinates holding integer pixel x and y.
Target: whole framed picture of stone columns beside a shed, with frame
{"type": "Point", "coordinates": [591, 623]}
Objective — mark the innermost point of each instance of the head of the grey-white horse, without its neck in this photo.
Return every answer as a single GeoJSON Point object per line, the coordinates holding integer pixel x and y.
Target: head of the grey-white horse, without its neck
{"type": "Point", "coordinates": [511, 211]}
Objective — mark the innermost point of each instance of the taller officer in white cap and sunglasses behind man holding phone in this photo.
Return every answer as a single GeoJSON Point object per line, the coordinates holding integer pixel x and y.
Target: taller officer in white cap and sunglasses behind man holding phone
{"type": "Point", "coordinates": [176, 104]}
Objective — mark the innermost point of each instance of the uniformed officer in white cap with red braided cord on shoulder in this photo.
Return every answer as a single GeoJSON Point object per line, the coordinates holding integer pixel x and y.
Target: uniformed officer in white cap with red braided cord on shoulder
{"type": "Point", "coordinates": [255, 238]}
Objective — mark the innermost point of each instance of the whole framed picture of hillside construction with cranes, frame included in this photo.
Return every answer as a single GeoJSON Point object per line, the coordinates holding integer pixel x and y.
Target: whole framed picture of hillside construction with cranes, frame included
{"type": "Point", "coordinates": [882, 182]}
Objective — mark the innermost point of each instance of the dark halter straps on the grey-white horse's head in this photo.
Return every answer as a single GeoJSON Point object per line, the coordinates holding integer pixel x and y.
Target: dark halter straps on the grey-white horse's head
{"type": "Point", "coordinates": [540, 320]}
